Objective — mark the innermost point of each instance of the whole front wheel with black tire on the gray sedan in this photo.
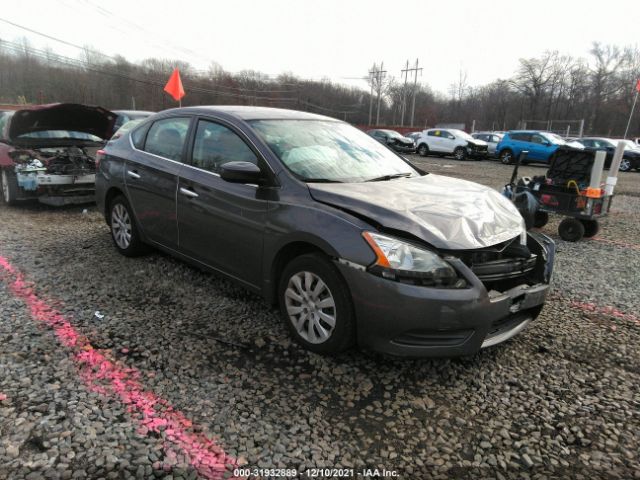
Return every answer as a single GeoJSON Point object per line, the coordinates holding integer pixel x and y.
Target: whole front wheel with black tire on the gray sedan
{"type": "Point", "coordinates": [300, 295]}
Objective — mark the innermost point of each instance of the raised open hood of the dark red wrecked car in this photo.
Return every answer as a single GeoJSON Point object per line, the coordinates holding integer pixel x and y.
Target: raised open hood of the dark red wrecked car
{"type": "Point", "coordinates": [62, 116]}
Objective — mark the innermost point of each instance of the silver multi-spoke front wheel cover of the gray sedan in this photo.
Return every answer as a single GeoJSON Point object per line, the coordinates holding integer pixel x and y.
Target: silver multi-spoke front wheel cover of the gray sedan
{"type": "Point", "coordinates": [311, 307]}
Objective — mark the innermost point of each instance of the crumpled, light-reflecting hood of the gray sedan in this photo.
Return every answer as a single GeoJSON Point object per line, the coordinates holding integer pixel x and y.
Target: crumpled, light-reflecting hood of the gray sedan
{"type": "Point", "coordinates": [445, 212]}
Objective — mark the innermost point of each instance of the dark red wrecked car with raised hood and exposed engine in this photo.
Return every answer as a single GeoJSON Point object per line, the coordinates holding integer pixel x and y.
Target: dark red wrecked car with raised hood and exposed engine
{"type": "Point", "coordinates": [47, 152]}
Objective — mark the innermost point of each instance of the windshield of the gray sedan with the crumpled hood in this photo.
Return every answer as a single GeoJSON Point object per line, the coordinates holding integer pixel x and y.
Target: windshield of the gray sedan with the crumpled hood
{"type": "Point", "coordinates": [320, 150]}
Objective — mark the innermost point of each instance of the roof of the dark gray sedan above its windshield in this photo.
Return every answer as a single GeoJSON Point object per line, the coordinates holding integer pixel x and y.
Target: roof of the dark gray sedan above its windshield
{"type": "Point", "coordinates": [244, 112]}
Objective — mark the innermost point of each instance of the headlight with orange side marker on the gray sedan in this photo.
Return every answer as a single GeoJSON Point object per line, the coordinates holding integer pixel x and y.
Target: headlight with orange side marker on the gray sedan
{"type": "Point", "coordinates": [404, 262]}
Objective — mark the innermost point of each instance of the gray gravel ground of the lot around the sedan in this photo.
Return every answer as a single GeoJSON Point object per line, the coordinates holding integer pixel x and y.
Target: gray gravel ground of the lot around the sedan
{"type": "Point", "coordinates": [561, 400]}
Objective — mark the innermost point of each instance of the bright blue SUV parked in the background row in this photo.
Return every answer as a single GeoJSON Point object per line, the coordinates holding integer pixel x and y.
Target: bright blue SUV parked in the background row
{"type": "Point", "coordinates": [541, 145]}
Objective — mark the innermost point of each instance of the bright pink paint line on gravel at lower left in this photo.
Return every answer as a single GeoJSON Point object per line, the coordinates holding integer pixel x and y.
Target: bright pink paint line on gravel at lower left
{"type": "Point", "coordinates": [115, 380]}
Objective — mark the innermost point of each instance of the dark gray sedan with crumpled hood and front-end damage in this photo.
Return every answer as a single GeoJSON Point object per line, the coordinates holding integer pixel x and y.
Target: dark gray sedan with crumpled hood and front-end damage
{"type": "Point", "coordinates": [354, 243]}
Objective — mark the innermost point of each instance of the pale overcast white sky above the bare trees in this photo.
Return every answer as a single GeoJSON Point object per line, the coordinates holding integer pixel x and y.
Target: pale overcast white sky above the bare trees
{"type": "Point", "coordinates": [339, 40]}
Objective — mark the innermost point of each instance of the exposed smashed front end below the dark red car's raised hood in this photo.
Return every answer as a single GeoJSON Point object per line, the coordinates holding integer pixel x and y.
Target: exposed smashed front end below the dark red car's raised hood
{"type": "Point", "coordinates": [56, 176]}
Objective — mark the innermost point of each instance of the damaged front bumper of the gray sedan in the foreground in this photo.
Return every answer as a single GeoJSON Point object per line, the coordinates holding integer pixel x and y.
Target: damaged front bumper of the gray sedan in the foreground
{"type": "Point", "coordinates": [416, 321]}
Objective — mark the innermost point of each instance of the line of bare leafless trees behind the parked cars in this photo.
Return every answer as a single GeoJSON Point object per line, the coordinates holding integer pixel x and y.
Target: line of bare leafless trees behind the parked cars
{"type": "Point", "coordinates": [553, 89]}
